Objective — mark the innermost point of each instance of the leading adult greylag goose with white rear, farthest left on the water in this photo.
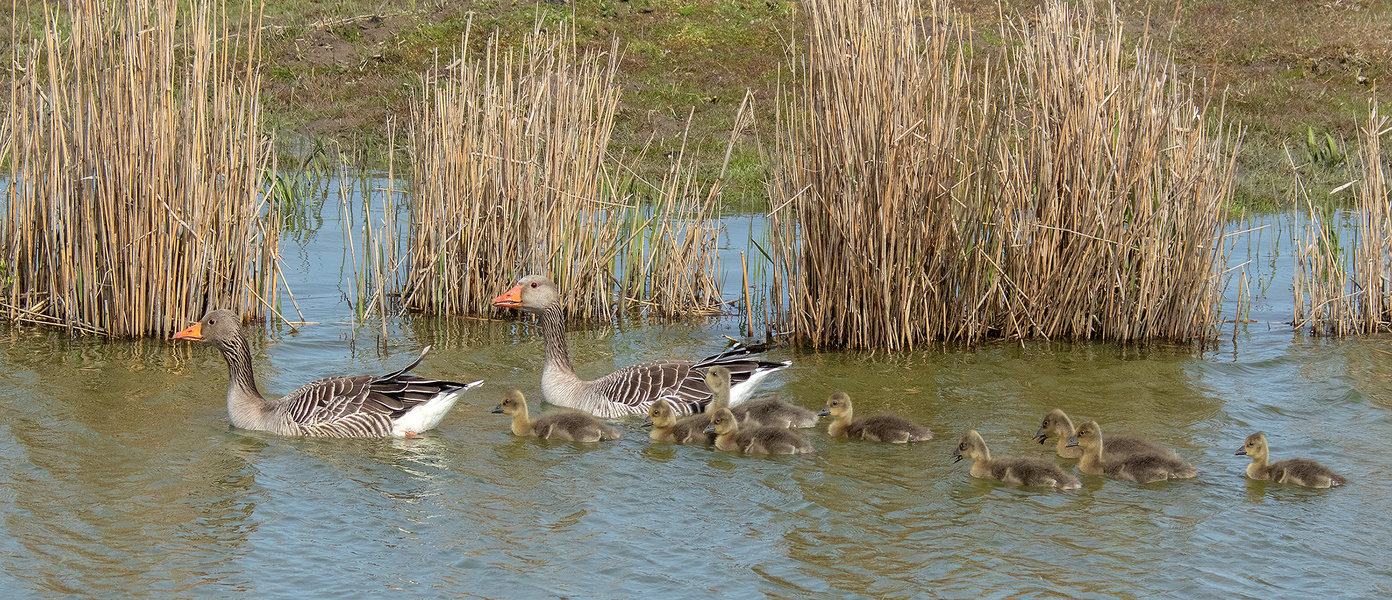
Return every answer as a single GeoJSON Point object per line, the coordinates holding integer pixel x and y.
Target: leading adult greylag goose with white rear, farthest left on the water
{"type": "Point", "coordinates": [395, 404]}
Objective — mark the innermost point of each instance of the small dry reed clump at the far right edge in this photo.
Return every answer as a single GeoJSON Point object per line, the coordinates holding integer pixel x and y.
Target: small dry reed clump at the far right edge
{"type": "Point", "coordinates": [1343, 286]}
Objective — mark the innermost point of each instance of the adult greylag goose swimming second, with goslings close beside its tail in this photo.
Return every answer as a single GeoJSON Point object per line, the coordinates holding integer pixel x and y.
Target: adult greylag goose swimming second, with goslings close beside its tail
{"type": "Point", "coordinates": [631, 389]}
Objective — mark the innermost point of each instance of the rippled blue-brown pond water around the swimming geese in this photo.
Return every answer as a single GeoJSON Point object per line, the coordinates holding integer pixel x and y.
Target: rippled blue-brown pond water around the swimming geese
{"type": "Point", "coordinates": [122, 478]}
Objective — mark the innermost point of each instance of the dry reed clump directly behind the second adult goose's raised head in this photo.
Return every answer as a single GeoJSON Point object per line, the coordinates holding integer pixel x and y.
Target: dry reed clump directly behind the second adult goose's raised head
{"type": "Point", "coordinates": [512, 177]}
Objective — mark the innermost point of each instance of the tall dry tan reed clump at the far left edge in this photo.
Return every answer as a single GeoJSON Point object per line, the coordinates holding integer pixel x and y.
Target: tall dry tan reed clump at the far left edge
{"type": "Point", "coordinates": [134, 168]}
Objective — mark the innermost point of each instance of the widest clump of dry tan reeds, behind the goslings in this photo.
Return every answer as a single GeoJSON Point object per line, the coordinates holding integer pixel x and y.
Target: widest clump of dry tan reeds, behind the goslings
{"type": "Point", "coordinates": [1071, 190]}
